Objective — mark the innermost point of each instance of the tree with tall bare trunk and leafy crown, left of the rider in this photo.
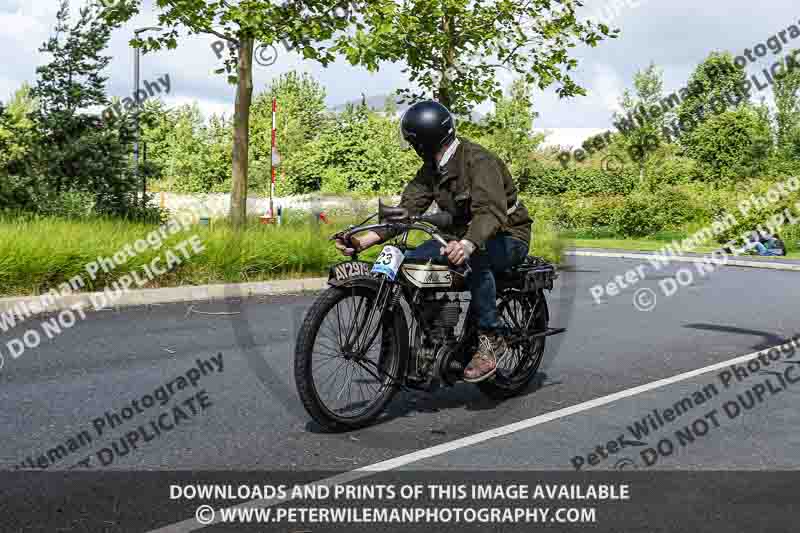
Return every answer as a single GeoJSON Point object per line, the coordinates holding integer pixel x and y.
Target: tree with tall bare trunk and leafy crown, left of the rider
{"type": "Point", "coordinates": [302, 24]}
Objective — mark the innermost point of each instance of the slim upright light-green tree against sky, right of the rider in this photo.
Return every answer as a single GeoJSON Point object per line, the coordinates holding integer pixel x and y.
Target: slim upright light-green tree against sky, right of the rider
{"type": "Point", "coordinates": [640, 142]}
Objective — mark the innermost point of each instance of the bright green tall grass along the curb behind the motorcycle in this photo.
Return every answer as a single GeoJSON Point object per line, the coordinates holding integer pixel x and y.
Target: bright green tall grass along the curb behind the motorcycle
{"type": "Point", "coordinates": [39, 253]}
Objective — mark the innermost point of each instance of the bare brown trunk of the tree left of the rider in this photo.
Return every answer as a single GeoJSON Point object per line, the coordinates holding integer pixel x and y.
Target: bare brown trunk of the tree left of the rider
{"type": "Point", "coordinates": [241, 133]}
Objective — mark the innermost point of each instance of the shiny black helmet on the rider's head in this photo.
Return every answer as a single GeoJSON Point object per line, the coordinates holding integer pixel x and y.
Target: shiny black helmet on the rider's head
{"type": "Point", "coordinates": [428, 126]}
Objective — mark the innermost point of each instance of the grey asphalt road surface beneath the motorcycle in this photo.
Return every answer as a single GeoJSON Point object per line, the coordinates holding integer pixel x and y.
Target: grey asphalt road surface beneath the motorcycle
{"type": "Point", "coordinates": [249, 416]}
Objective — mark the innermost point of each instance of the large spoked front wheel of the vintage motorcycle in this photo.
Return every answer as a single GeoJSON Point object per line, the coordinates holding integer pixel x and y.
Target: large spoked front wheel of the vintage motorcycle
{"type": "Point", "coordinates": [343, 379]}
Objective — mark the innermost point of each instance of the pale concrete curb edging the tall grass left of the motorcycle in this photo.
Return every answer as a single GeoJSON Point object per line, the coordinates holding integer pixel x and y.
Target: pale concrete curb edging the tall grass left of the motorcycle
{"type": "Point", "coordinates": [32, 305]}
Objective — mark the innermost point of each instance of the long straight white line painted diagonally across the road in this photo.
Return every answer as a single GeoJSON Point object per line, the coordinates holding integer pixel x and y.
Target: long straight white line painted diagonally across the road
{"type": "Point", "coordinates": [192, 525]}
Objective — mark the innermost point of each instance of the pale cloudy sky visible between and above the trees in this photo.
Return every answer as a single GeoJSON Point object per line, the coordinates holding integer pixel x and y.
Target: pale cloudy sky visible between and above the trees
{"type": "Point", "coordinates": [676, 35]}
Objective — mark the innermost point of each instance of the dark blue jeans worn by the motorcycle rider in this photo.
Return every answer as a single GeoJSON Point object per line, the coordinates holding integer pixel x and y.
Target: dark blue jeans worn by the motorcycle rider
{"type": "Point", "coordinates": [502, 252]}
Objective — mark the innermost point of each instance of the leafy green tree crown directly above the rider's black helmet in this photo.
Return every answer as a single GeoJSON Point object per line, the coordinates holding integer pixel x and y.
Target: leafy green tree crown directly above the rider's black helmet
{"type": "Point", "coordinates": [454, 49]}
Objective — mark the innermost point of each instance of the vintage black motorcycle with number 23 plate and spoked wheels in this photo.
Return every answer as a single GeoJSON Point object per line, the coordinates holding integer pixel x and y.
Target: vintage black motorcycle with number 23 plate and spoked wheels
{"type": "Point", "coordinates": [399, 323]}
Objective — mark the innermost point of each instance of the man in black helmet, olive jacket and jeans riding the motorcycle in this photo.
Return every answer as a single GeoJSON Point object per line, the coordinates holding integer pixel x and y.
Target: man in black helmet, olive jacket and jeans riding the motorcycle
{"type": "Point", "coordinates": [492, 224]}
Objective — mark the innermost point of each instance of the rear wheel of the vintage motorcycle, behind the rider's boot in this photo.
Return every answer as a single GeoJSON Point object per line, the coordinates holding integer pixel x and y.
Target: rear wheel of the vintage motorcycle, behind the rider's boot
{"type": "Point", "coordinates": [521, 315]}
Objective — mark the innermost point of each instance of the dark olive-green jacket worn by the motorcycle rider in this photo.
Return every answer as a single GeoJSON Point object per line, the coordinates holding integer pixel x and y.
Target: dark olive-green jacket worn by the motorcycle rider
{"type": "Point", "coordinates": [477, 190]}
